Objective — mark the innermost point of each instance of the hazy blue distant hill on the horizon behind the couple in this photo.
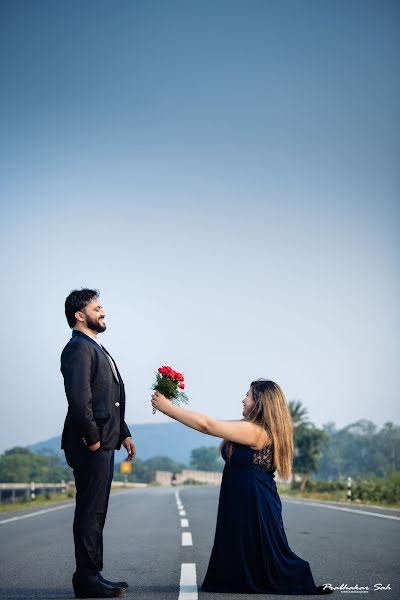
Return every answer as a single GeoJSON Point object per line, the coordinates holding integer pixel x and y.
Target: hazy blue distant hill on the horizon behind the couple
{"type": "Point", "coordinates": [152, 439]}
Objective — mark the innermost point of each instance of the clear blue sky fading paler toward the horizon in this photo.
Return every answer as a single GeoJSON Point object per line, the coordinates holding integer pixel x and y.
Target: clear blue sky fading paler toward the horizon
{"type": "Point", "coordinates": [227, 174]}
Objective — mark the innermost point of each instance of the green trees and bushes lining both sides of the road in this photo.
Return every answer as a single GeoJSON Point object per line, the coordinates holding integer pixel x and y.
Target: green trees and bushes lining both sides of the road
{"type": "Point", "coordinates": [324, 459]}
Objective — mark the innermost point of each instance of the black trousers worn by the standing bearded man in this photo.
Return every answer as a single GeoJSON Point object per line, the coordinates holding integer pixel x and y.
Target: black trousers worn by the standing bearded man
{"type": "Point", "coordinates": [93, 472]}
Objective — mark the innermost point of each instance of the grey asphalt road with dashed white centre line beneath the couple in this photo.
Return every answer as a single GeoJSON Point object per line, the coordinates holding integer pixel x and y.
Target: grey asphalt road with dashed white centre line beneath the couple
{"type": "Point", "coordinates": [143, 545]}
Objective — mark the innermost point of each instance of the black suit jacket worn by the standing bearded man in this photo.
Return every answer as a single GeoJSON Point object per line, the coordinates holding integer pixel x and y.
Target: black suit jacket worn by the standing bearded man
{"type": "Point", "coordinates": [96, 399]}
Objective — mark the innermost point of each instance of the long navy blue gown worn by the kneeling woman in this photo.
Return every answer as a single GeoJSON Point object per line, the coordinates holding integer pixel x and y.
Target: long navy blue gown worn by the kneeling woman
{"type": "Point", "coordinates": [251, 553]}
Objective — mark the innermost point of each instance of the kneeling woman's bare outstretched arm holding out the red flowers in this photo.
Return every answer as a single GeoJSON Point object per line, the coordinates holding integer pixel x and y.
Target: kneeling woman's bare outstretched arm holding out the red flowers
{"type": "Point", "coordinates": [241, 432]}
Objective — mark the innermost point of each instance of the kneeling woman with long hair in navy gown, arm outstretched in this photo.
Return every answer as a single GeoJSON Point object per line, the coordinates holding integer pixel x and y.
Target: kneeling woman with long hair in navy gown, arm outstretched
{"type": "Point", "coordinates": [251, 553]}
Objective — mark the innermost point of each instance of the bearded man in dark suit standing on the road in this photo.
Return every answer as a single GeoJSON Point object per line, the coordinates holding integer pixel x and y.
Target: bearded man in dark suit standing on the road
{"type": "Point", "coordinates": [93, 429]}
